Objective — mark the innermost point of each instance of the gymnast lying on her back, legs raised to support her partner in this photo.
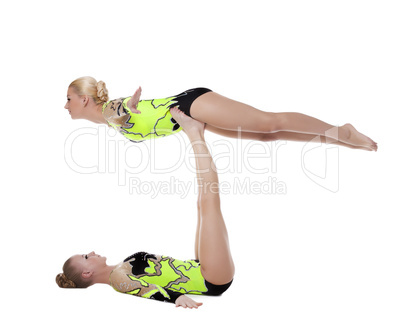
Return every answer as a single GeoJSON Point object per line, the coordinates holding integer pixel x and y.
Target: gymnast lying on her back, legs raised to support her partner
{"type": "Point", "coordinates": [164, 278]}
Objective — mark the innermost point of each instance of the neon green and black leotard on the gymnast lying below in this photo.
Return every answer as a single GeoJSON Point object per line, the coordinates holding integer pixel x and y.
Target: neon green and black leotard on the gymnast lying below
{"type": "Point", "coordinates": [161, 278]}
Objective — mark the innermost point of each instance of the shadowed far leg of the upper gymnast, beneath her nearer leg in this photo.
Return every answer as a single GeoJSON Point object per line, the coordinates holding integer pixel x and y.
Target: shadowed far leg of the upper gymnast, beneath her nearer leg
{"type": "Point", "coordinates": [281, 135]}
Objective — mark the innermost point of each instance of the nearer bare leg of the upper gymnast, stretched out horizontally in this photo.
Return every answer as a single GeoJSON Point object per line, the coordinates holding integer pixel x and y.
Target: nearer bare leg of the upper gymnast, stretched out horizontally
{"type": "Point", "coordinates": [221, 112]}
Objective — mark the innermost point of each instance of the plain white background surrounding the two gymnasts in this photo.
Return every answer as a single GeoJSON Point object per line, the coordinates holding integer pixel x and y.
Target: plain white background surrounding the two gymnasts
{"type": "Point", "coordinates": [309, 252]}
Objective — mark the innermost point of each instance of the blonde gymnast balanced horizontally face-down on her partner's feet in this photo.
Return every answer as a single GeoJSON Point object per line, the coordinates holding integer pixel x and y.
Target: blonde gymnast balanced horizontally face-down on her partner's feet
{"type": "Point", "coordinates": [139, 120]}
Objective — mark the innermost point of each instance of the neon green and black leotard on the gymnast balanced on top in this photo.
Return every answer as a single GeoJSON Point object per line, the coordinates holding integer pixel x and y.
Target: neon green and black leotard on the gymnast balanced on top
{"type": "Point", "coordinates": [155, 119]}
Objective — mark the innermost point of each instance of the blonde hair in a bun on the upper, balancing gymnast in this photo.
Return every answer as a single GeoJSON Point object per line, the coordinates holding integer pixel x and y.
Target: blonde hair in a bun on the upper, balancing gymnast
{"type": "Point", "coordinates": [87, 85]}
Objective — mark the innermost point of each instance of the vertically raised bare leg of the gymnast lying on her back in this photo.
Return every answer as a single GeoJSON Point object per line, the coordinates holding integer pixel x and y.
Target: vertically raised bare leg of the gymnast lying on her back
{"type": "Point", "coordinates": [214, 254]}
